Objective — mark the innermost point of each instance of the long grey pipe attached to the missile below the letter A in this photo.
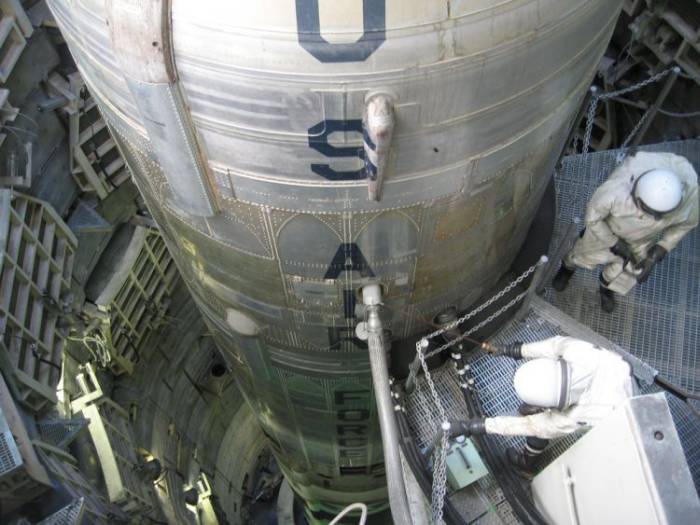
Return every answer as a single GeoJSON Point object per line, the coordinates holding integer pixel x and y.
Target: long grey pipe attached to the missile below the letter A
{"type": "Point", "coordinates": [371, 296]}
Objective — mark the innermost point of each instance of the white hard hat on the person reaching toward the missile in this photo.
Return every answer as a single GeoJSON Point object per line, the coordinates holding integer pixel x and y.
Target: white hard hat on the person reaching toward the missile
{"type": "Point", "coordinates": [543, 383]}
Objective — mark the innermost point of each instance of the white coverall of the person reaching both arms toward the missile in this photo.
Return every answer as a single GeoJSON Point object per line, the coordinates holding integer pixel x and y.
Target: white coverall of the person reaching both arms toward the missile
{"type": "Point", "coordinates": [600, 381]}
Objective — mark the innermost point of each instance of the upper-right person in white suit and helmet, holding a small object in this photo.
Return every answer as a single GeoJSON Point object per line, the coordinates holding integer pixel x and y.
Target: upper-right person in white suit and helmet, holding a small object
{"type": "Point", "coordinates": [644, 209]}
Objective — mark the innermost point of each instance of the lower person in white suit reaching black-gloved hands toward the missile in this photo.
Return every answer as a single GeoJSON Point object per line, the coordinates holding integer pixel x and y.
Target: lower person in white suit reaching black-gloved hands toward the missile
{"type": "Point", "coordinates": [568, 385]}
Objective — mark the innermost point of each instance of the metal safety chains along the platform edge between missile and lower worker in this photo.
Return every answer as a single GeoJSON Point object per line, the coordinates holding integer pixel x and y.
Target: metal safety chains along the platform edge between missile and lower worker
{"type": "Point", "coordinates": [439, 488]}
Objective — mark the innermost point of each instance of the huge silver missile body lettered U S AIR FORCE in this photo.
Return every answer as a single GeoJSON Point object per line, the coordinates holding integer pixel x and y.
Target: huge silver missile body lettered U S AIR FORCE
{"type": "Point", "coordinates": [275, 90]}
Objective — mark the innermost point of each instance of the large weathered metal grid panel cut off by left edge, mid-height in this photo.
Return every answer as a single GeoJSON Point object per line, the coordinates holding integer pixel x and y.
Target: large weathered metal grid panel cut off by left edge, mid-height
{"type": "Point", "coordinates": [36, 260]}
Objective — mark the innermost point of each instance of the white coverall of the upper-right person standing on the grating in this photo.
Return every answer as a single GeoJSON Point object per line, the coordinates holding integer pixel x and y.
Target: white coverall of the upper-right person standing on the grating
{"type": "Point", "coordinates": [612, 214]}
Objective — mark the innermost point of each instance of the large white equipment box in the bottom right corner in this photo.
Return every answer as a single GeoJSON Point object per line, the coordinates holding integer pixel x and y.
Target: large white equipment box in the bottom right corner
{"type": "Point", "coordinates": [628, 469]}
